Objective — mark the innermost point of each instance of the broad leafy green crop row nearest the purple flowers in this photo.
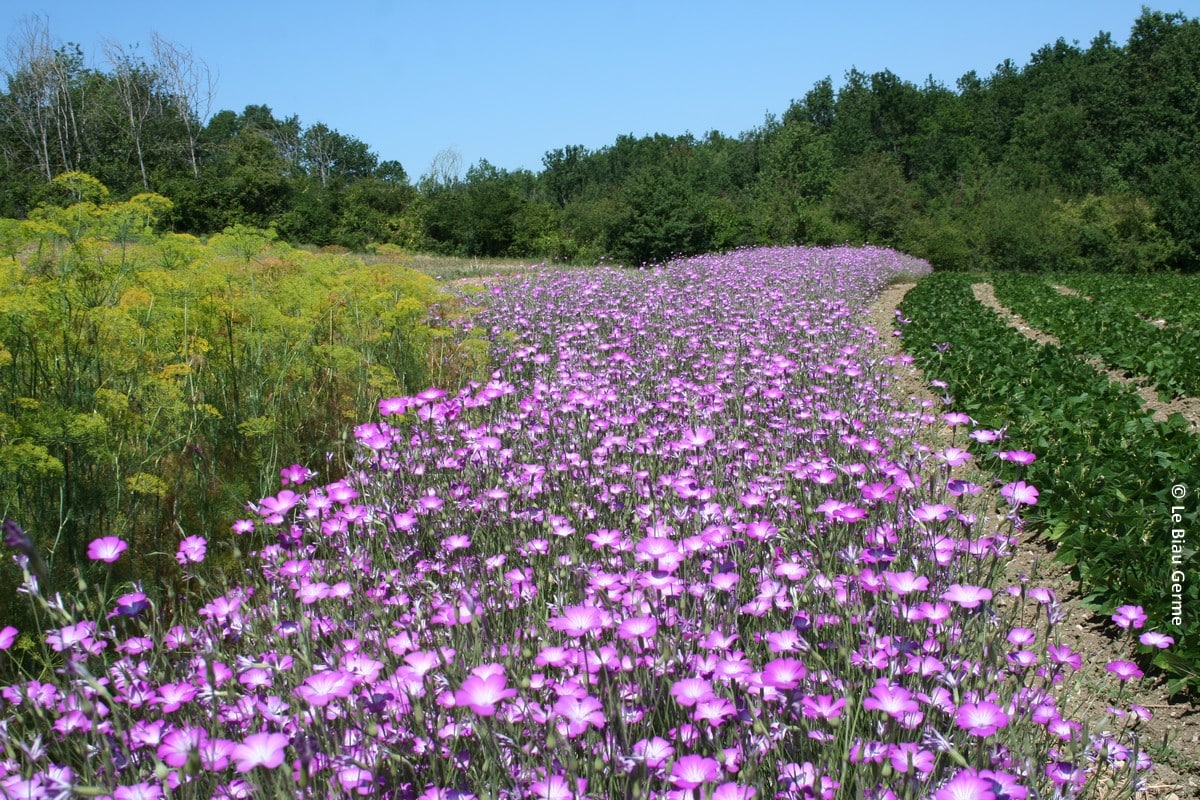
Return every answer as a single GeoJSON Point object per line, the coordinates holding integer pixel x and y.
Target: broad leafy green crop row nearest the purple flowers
{"type": "Point", "coordinates": [1106, 470]}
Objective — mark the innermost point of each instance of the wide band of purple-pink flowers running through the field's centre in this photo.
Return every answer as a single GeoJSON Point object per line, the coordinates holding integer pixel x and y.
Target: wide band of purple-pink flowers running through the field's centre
{"type": "Point", "coordinates": [686, 543]}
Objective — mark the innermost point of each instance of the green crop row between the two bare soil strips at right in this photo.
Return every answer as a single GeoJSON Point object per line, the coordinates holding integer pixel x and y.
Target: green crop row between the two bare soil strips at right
{"type": "Point", "coordinates": [1112, 333]}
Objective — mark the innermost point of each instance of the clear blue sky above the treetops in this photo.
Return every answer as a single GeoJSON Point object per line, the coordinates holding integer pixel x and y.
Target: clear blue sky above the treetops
{"type": "Point", "coordinates": [509, 81]}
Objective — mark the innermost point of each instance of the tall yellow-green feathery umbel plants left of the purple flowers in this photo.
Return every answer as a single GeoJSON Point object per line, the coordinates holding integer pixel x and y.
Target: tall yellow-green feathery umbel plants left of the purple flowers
{"type": "Point", "coordinates": [153, 384]}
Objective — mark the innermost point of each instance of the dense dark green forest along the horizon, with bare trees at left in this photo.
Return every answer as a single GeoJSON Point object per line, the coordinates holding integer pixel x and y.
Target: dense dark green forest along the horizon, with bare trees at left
{"type": "Point", "coordinates": [1081, 159]}
